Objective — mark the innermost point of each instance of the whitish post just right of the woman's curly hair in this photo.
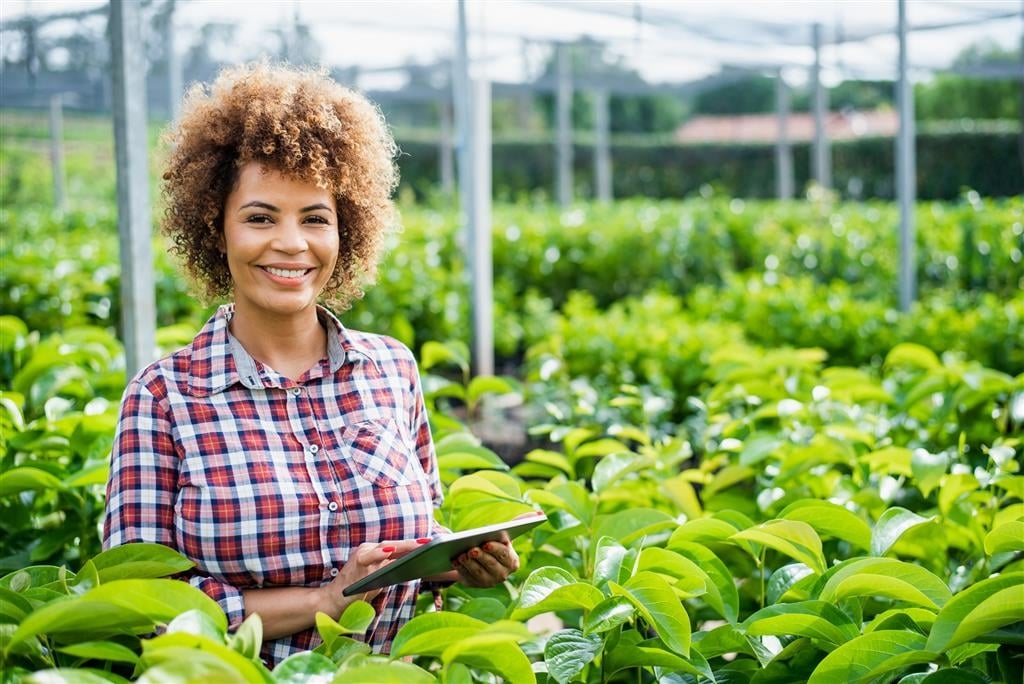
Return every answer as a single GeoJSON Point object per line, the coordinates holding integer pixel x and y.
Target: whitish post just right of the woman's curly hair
{"type": "Point", "coordinates": [483, 302]}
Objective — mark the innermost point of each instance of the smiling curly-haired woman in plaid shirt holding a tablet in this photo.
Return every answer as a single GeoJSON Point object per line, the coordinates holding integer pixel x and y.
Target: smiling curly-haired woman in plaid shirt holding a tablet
{"type": "Point", "coordinates": [284, 454]}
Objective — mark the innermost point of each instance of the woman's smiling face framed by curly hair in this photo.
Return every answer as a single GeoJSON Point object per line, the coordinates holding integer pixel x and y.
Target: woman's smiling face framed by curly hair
{"type": "Point", "coordinates": [281, 238]}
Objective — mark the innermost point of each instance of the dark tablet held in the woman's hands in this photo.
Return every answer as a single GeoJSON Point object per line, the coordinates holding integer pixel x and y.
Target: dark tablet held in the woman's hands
{"type": "Point", "coordinates": [436, 557]}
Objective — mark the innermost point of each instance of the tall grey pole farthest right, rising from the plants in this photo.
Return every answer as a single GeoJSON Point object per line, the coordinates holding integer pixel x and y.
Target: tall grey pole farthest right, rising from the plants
{"type": "Point", "coordinates": [906, 172]}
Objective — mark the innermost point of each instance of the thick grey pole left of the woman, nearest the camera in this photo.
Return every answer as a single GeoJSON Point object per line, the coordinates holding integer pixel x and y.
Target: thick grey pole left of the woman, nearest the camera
{"type": "Point", "coordinates": [138, 300]}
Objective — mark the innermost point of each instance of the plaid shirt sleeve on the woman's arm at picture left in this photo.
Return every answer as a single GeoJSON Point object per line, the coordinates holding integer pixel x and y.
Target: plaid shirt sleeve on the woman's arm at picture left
{"type": "Point", "coordinates": [143, 487]}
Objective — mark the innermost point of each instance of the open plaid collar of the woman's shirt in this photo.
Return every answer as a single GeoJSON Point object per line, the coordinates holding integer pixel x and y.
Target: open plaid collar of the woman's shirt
{"type": "Point", "coordinates": [220, 361]}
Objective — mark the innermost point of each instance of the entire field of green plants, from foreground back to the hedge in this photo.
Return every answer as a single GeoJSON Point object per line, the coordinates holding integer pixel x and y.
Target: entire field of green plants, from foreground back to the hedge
{"type": "Point", "coordinates": [755, 467]}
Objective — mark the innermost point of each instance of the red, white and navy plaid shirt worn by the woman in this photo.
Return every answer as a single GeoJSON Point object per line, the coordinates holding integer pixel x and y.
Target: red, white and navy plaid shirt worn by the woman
{"type": "Point", "coordinates": [264, 482]}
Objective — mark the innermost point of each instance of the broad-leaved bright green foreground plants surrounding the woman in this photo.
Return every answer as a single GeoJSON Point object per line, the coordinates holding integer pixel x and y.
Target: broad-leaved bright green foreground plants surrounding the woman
{"type": "Point", "coordinates": [804, 523]}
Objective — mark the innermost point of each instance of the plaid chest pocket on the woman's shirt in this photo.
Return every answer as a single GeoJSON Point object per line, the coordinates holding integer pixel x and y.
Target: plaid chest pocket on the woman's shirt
{"type": "Point", "coordinates": [379, 453]}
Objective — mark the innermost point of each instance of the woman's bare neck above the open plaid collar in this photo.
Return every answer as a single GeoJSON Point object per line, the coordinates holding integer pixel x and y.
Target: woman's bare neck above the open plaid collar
{"type": "Point", "coordinates": [290, 345]}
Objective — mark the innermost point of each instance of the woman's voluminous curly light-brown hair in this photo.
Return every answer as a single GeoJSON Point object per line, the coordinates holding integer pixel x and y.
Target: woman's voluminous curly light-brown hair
{"type": "Point", "coordinates": [300, 123]}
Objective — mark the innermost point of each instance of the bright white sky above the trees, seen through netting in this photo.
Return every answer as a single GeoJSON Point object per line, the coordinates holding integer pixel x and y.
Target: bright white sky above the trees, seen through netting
{"type": "Point", "coordinates": [666, 41]}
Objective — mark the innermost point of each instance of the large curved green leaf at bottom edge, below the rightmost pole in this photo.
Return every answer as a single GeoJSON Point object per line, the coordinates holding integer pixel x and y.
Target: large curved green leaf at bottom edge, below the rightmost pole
{"type": "Point", "coordinates": [872, 656]}
